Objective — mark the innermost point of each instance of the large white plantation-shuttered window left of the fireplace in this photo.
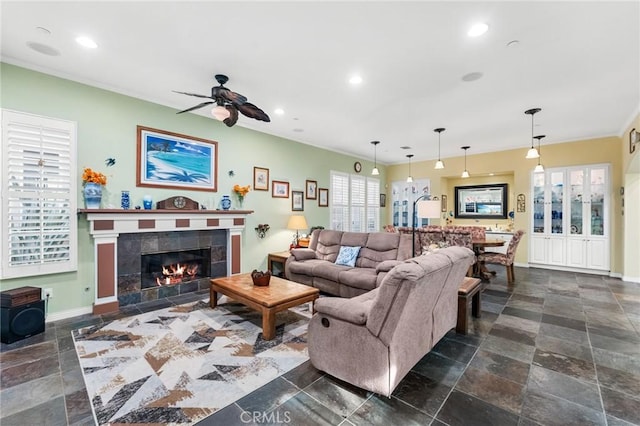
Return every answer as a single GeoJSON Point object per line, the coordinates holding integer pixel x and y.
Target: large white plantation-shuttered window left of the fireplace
{"type": "Point", "coordinates": [39, 224]}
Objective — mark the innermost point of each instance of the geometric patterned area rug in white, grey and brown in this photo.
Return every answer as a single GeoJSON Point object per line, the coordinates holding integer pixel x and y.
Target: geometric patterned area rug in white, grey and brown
{"type": "Point", "coordinates": [181, 364]}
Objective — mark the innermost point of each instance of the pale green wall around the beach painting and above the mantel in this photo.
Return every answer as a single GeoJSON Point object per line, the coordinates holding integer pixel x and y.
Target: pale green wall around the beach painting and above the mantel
{"type": "Point", "coordinates": [107, 128]}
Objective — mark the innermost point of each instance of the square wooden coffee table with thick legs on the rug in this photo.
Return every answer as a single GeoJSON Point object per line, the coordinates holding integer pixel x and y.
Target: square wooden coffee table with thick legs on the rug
{"type": "Point", "coordinates": [279, 295]}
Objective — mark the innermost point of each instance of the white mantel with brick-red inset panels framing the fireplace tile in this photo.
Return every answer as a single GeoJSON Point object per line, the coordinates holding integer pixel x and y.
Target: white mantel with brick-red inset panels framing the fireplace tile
{"type": "Point", "coordinates": [107, 224]}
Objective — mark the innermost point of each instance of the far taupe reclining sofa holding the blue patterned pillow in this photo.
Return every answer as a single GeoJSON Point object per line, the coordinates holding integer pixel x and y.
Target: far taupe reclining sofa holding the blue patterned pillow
{"type": "Point", "coordinates": [315, 266]}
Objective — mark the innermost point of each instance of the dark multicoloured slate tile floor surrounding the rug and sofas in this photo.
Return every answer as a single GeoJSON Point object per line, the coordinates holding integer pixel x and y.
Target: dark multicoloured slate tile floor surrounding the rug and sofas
{"type": "Point", "coordinates": [555, 348]}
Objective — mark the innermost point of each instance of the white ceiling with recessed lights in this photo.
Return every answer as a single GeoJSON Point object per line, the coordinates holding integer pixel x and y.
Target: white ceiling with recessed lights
{"type": "Point", "coordinates": [578, 61]}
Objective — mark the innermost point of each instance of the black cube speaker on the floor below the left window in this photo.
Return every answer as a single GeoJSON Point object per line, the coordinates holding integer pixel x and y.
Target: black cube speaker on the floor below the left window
{"type": "Point", "coordinates": [20, 322]}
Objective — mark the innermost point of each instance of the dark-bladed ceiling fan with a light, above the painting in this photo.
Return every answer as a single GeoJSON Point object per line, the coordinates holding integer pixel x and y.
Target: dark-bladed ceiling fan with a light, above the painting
{"type": "Point", "coordinates": [228, 104]}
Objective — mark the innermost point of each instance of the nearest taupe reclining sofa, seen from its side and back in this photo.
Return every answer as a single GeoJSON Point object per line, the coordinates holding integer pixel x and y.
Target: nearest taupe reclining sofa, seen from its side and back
{"type": "Point", "coordinates": [373, 340]}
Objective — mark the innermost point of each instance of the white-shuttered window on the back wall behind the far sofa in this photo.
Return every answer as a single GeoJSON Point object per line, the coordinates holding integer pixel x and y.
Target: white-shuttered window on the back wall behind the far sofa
{"type": "Point", "coordinates": [355, 203]}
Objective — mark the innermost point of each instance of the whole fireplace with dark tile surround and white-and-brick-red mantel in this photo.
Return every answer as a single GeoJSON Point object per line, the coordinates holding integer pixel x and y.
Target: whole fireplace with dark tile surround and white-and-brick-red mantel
{"type": "Point", "coordinates": [131, 247]}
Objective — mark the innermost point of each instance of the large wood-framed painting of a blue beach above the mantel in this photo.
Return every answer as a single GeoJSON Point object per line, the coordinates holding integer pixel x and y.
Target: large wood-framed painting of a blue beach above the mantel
{"type": "Point", "coordinates": [171, 160]}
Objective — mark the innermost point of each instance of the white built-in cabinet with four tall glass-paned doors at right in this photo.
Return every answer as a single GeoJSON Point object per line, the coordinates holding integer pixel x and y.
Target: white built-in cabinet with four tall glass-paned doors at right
{"type": "Point", "coordinates": [570, 217]}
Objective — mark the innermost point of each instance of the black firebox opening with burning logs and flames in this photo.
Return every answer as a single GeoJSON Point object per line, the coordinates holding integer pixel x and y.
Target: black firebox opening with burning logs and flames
{"type": "Point", "coordinates": [175, 267]}
